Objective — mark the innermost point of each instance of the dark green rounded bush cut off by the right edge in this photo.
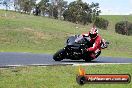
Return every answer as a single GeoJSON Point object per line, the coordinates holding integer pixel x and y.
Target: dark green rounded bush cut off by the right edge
{"type": "Point", "coordinates": [124, 28]}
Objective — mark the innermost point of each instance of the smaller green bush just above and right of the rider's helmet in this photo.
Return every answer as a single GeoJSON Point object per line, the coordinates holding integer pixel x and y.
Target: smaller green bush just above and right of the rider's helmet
{"type": "Point", "coordinates": [101, 23]}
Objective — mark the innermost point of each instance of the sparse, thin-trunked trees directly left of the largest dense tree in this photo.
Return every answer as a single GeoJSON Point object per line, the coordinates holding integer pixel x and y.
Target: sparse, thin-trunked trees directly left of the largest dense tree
{"type": "Point", "coordinates": [52, 8]}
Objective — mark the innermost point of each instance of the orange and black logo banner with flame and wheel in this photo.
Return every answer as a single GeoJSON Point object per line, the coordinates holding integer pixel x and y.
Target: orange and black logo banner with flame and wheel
{"type": "Point", "coordinates": [83, 78]}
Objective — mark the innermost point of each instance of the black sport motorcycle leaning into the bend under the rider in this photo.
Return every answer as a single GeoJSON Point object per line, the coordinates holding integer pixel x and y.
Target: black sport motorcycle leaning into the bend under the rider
{"type": "Point", "coordinates": [75, 49]}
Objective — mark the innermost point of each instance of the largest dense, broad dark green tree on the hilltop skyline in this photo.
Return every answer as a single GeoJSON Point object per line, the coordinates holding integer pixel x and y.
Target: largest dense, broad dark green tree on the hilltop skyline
{"type": "Point", "coordinates": [80, 12]}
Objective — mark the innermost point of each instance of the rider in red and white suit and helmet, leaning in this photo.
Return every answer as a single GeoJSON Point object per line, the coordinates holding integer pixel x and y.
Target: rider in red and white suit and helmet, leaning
{"type": "Point", "coordinates": [95, 40]}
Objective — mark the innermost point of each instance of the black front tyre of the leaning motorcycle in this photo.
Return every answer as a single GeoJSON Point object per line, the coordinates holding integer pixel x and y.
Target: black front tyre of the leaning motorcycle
{"type": "Point", "coordinates": [59, 55]}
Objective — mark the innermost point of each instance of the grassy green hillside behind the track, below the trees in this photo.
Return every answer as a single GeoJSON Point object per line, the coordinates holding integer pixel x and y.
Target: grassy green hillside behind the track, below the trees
{"type": "Point", "coordinates": [27, 33]}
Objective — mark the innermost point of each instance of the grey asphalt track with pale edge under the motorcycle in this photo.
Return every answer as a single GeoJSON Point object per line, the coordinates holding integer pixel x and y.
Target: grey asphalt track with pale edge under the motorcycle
{"type": "Point", "coordinates": [18, 59]}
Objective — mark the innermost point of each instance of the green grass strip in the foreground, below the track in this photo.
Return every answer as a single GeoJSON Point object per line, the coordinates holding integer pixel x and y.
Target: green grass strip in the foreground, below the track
{"type": "Point", "coordinates": [58, 76]}
